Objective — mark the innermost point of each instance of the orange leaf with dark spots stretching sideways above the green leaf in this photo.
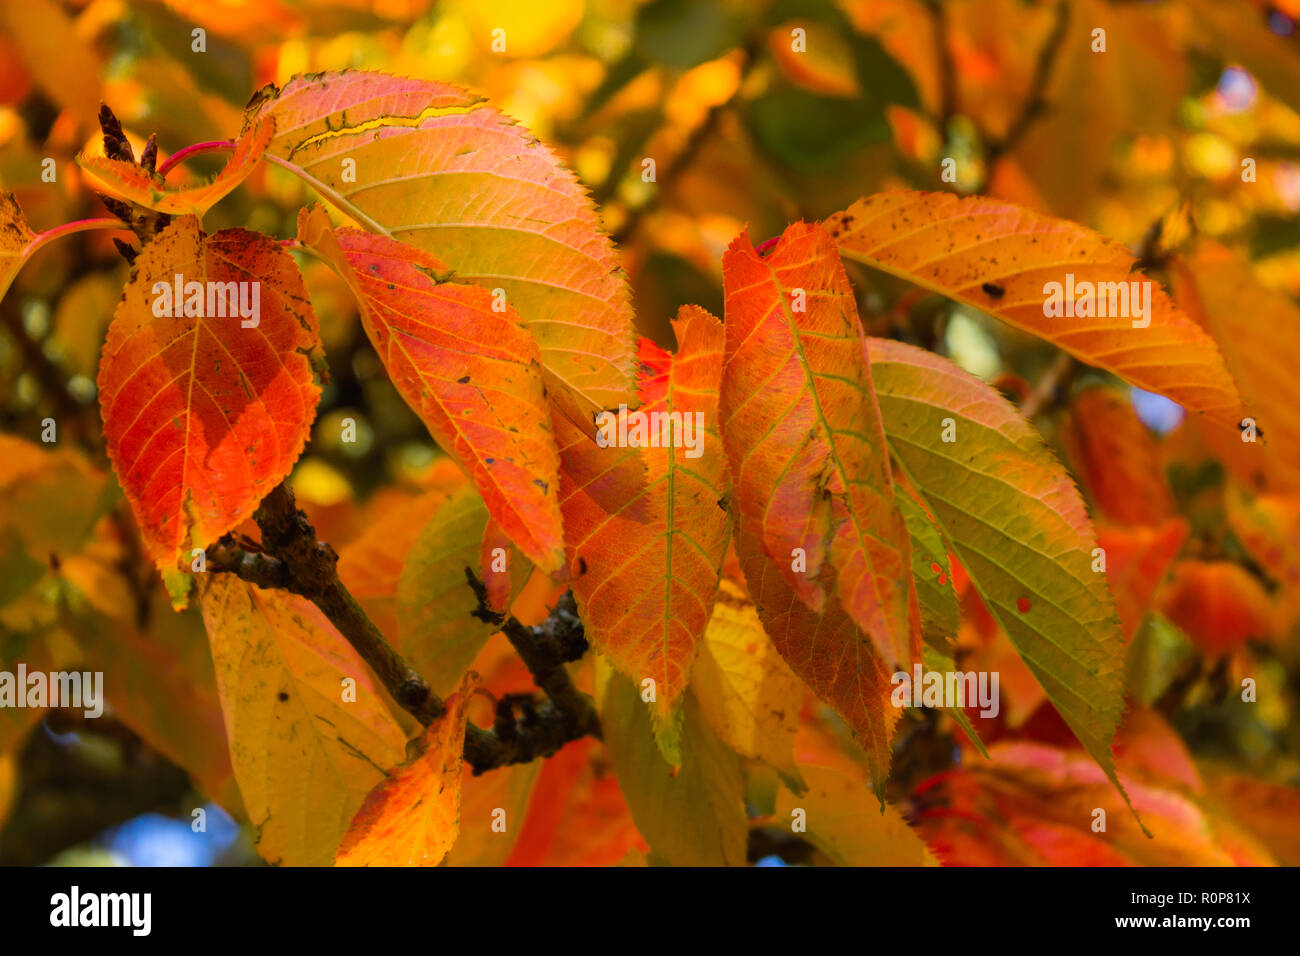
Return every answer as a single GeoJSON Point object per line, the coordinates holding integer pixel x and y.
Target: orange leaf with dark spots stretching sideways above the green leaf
{"type": "Point", "coordinates": [1000, 258]}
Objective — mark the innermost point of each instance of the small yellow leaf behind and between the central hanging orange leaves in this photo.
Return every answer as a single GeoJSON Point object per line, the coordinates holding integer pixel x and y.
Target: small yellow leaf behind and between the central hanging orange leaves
{"type": "Point", "coordinates": [747, 693]}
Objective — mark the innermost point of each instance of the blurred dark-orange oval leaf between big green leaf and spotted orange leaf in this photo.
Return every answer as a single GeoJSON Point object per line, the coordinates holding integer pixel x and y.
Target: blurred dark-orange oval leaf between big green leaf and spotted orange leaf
{"type": "Point", "coordinates": [1116, 456]}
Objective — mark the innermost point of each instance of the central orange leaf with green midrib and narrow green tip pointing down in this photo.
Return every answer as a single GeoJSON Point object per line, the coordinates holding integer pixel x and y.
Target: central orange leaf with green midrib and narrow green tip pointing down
{"type": "Point", "coordinates": [645, 576]}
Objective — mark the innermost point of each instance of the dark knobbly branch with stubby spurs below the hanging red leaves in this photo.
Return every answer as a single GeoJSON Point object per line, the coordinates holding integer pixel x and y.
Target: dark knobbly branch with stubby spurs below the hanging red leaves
{"type": "Point", "coordinates": [292, 559]}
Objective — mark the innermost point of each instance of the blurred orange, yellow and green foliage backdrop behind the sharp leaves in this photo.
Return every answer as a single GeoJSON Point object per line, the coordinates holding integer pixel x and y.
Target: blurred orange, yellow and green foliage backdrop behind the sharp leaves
{"type": "Point", "coordinates": [753, 114]}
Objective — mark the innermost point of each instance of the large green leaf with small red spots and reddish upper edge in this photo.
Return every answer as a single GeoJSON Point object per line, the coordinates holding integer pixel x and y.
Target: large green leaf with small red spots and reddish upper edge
{"type": "Point", "coordinates": [1015, 521]}
